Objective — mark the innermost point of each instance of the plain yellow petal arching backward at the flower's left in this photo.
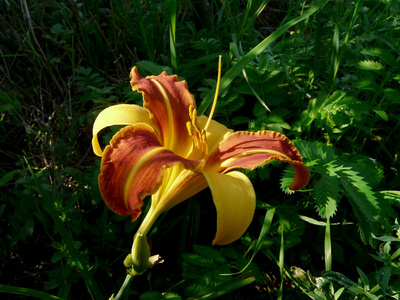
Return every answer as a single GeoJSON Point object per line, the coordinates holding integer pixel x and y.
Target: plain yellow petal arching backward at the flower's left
{"type": "Point", "coordinates": [121, 114]}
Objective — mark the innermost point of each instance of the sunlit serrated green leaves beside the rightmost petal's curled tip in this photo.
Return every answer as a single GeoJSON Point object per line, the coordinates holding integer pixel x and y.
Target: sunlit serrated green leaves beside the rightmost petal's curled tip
{"type": "Point", "coordinates": [350, 176]}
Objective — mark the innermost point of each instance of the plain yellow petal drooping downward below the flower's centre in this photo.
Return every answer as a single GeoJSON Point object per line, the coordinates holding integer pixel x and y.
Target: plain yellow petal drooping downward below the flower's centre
{"type": "Point", "coordinates": [235, 201]}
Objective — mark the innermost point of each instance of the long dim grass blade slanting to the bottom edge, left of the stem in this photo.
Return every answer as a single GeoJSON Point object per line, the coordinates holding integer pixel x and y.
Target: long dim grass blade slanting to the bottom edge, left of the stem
{"type": "Point", "coordinates": [67, 239]}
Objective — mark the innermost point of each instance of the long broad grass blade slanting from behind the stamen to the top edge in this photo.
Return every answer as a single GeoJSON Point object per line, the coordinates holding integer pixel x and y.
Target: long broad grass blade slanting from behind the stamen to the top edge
{"type": "Point", "coordinates": [227, 79]}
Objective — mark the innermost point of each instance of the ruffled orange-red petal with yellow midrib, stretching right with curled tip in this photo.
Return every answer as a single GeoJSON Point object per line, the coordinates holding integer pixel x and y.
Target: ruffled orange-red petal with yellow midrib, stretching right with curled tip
{"type": "Point", "coordinates": [247, 150]}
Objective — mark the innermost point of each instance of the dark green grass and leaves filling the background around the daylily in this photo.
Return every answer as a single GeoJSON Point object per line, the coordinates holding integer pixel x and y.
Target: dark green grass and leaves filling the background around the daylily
{"type": "Point", "coordinates": [325, 73]}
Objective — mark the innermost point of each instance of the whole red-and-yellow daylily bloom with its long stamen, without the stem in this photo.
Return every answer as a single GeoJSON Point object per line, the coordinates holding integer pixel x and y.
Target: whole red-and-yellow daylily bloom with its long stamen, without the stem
{"type": "Point", "coordinates": [167, 151]}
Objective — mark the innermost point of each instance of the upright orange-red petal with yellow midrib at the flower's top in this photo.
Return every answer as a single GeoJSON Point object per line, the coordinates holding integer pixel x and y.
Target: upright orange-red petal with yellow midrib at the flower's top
{"type": "Point", "coordinates": [168, 100]}
